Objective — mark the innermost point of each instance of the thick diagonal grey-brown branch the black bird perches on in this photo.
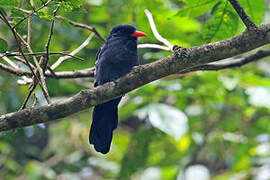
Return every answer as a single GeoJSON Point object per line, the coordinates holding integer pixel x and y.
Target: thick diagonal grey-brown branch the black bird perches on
{"type": "Point", "coordinates": [140, 75]}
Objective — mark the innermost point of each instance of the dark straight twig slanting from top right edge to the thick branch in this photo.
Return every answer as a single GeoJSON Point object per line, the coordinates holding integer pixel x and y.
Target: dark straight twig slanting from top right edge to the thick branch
{"type": "Point", "coordinates": [243, 15]}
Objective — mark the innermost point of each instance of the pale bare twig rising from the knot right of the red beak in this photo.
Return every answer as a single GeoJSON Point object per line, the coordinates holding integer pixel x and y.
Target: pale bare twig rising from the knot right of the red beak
{"type": "Point", "coordinates": [154, 30]}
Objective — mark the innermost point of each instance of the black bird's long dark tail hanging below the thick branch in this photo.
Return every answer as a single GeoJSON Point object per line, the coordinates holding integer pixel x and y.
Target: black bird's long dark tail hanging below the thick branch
{"type": "Point", "coordinates": [105, 120]}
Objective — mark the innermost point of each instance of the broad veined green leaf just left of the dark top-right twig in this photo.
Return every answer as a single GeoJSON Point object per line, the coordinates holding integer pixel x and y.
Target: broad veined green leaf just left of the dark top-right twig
{"type": "Point", "coordinates": [223, 25]}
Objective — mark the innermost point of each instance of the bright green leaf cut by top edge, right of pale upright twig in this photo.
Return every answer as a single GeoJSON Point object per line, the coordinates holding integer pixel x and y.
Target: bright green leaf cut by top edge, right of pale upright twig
{"type": "Point", "coordinates": [197, 7]}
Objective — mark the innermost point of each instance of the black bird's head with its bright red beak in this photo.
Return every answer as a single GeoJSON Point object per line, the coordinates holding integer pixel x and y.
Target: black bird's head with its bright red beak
{"type": "Point", "coordinates": [126, 30]}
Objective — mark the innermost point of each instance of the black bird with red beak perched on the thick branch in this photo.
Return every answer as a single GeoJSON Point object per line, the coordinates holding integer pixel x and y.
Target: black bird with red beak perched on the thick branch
{"type": "Point", "coordinates": [114, 59]}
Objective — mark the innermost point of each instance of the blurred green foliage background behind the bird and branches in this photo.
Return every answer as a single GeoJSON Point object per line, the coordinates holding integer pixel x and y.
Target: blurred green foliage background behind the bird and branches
{"type": "Point", "coordinates": [201, 125]}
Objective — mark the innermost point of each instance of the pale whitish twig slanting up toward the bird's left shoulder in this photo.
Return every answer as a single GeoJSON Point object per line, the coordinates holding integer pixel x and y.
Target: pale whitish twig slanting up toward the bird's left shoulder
{"type": "Point", "coordinates": [63, 58]}
